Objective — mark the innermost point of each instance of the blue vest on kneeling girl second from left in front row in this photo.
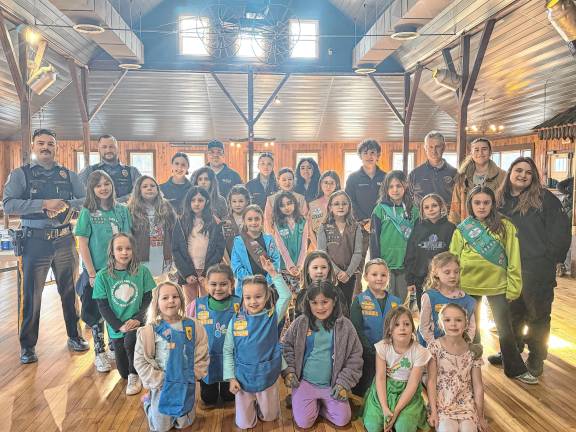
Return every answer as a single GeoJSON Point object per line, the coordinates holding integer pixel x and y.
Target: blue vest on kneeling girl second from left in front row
{"type": "Point", "coordinates": [215, 323]}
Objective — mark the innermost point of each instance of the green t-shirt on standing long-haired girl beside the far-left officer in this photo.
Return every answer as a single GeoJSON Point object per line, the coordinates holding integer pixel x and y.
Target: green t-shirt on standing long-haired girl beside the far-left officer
{"type": "Point", "coordinates": [99, 227]}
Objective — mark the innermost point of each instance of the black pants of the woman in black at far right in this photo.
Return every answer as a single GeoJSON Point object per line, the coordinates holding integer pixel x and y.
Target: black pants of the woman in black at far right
{"type": "Point", "coordinates": [533, 309]}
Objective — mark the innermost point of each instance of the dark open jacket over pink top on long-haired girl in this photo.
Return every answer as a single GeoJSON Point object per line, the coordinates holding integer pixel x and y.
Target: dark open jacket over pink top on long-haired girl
{"type": "Point", "coordinates": [182, 259]}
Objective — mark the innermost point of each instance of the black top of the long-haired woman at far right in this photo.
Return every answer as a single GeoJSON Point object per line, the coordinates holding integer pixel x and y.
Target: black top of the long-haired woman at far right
{"type": "Point", "coordinates": [544, 234]}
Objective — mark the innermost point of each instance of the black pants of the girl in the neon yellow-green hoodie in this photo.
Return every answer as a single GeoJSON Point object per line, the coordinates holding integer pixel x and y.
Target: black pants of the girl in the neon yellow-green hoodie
{"type": "Point", "coordinates": [513, 363]}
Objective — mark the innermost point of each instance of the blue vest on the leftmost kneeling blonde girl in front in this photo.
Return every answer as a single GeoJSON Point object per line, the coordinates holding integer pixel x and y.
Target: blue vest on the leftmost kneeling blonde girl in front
{"type": "Point", "coordinates": [177, 395]}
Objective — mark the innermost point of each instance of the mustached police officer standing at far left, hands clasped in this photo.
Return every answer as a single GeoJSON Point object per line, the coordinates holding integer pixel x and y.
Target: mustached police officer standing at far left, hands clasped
{"type": "Point", "coordinates": [44, 193]}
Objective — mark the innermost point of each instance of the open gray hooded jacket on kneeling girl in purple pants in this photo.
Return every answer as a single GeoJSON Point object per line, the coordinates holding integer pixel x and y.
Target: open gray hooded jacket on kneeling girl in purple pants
{"type": "Point", "coordinates": [347, 361]}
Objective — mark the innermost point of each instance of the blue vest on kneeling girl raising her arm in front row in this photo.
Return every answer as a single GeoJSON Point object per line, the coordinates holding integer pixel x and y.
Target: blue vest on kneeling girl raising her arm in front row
{"type": "Point", "coordinates": [257, 352]}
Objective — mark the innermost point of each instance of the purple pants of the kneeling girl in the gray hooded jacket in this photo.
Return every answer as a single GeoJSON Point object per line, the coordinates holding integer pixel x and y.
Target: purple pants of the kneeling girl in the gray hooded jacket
{"type": "Point", "coordinates": [309, 401]}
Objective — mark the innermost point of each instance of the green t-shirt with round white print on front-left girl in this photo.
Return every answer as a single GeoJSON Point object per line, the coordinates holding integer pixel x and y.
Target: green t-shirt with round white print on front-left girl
{"type": "Point", "coordinates": [124, 293]}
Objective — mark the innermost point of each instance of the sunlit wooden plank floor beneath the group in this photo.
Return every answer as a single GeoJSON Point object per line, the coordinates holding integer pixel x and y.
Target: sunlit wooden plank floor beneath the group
{"type": "Point", "coordinates": [63, 392]}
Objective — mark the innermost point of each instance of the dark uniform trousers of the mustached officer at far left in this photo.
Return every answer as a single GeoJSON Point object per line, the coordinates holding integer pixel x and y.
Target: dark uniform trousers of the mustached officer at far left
{"type": "Point", "coordinates": [39, 257]}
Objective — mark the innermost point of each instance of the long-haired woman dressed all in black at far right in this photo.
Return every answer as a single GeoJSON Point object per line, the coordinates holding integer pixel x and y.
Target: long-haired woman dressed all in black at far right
{"type": "Point", "coordinates": [544, 235]}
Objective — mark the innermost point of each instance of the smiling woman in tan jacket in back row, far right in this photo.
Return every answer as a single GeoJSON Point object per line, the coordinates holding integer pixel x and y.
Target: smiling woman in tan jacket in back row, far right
{"type": "Point", "coordinates": [477, 169]}
